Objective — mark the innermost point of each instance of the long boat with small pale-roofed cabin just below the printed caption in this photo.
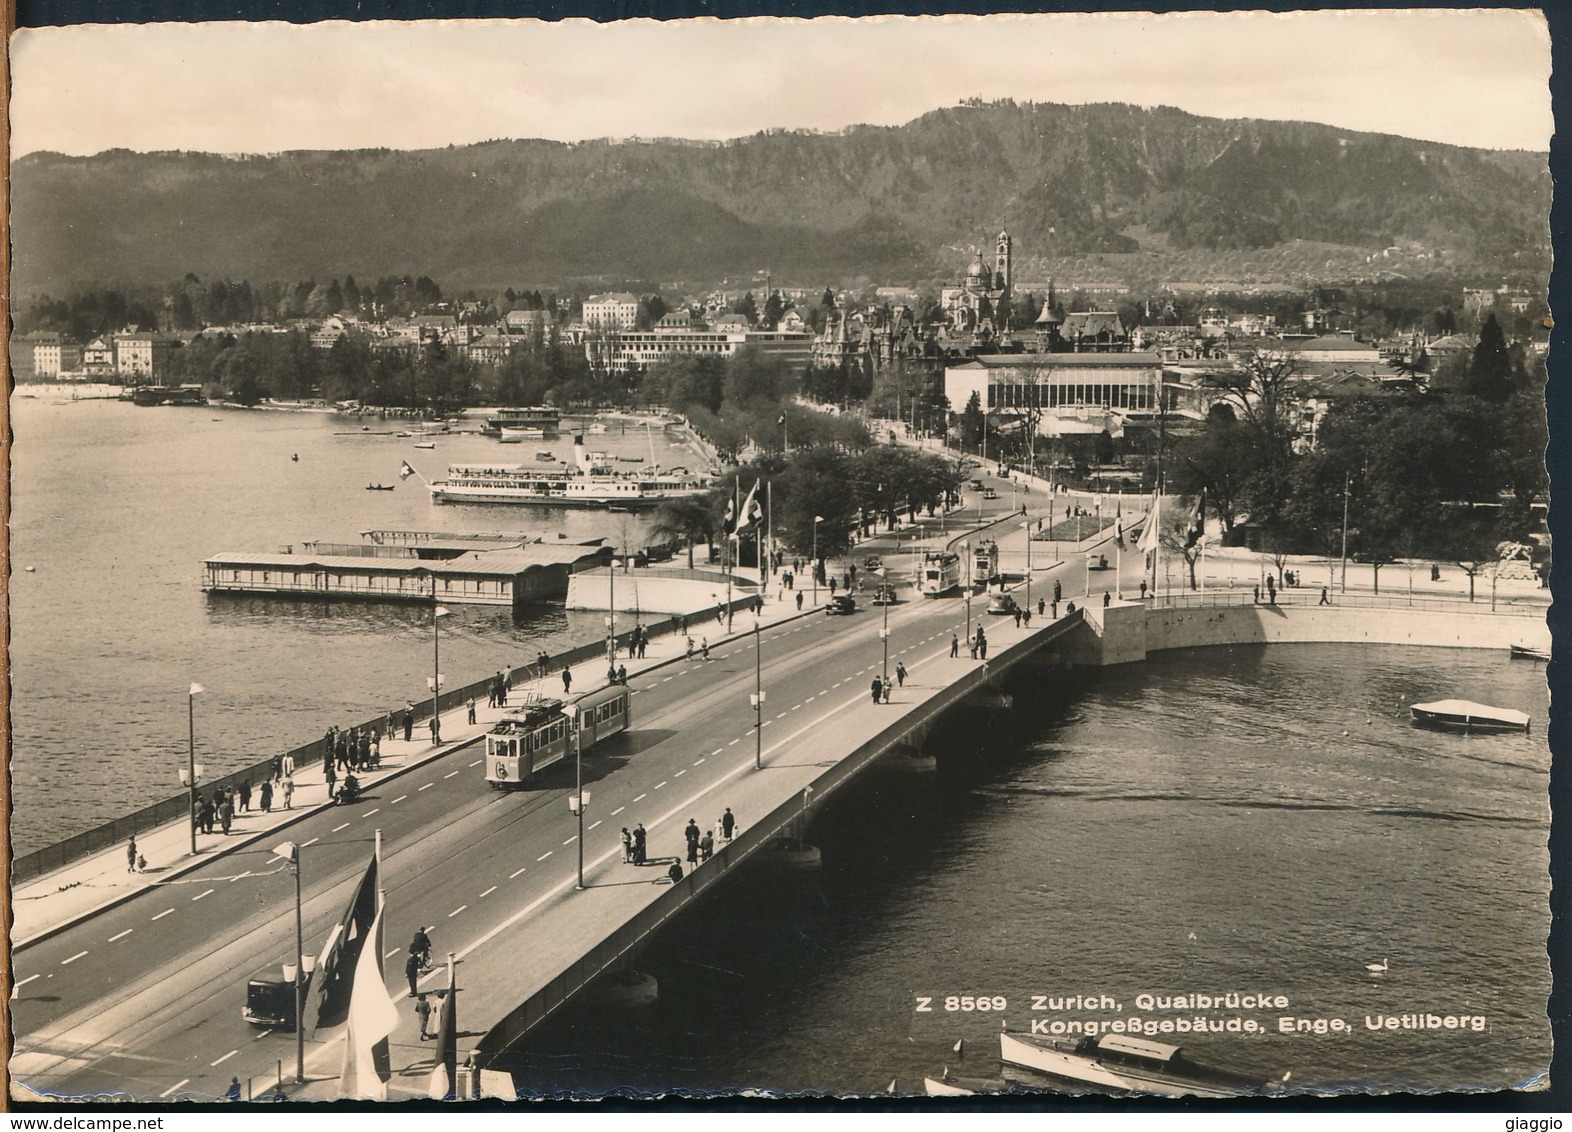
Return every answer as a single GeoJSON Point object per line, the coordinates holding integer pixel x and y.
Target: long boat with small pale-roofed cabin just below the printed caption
{"type": "Point", "coordinates": [1125, 1064]}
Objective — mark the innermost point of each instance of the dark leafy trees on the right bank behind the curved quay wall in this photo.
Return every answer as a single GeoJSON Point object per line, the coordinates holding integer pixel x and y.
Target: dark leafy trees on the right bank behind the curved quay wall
{"type": "Point", "coordinates": [1447, 472]}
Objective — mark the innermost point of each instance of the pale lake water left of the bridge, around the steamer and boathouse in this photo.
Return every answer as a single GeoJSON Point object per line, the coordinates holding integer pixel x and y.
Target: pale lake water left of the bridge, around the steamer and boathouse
{"type": "Point", "coordinates": [114, 510]}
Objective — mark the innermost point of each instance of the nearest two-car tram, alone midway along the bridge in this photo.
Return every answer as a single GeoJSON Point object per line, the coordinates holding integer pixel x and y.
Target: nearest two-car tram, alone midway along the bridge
{"type": "Point", "coordinates": [543, 732]}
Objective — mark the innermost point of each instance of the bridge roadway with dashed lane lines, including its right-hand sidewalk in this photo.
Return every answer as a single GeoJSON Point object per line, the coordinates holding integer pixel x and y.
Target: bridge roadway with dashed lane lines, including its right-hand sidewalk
{"type": "Point", "coordinates": [144, 1001]}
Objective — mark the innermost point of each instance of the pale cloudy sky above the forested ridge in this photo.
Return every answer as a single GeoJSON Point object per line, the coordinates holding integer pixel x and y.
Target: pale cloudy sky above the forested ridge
{"type": "Point", "coordinates": [1466, 78]}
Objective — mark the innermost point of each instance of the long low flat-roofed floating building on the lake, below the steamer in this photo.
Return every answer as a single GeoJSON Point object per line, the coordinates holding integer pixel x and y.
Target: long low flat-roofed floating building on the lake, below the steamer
{"type": "Point", "coordinates": [455, 568]}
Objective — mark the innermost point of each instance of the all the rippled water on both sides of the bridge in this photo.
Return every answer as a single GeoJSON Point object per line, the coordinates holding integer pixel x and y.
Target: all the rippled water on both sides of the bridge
{"type": "Point", "coordinates": [1221, 820]}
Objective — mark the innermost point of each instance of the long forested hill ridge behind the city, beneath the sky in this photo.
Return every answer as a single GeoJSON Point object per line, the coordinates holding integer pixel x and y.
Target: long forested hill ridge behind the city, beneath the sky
{"type": "Point", "coordinates": [884, 202]}
